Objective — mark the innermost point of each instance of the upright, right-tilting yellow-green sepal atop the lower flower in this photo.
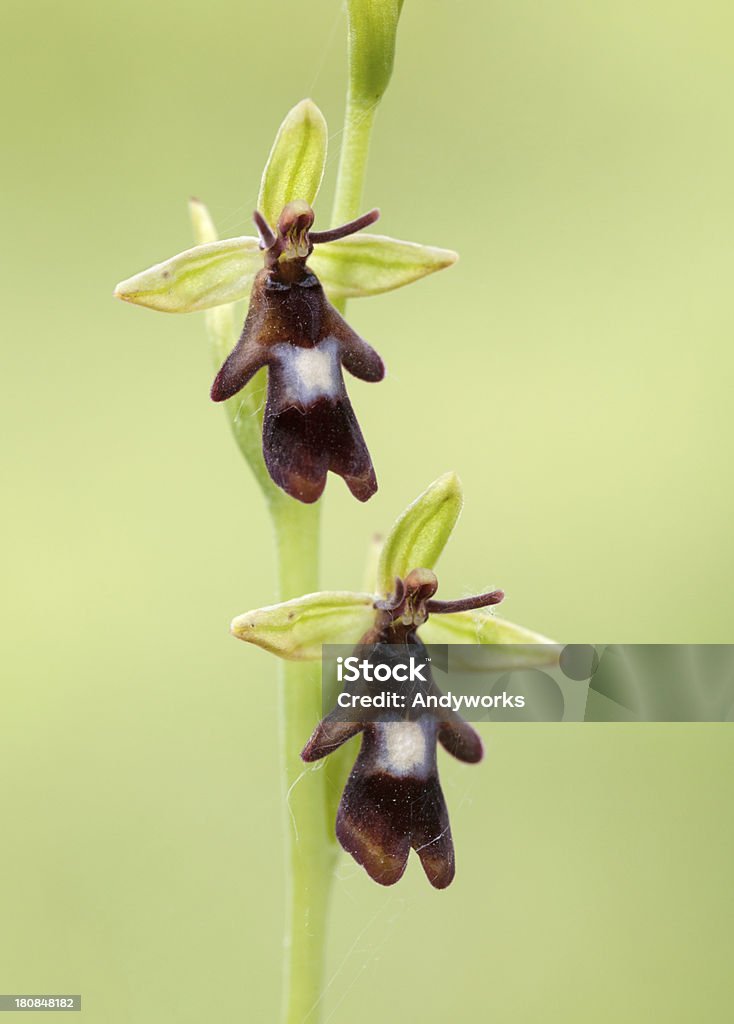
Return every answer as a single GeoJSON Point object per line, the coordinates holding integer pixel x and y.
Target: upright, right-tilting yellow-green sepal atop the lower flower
{"type": "Point", "coordinates": [420, 535]}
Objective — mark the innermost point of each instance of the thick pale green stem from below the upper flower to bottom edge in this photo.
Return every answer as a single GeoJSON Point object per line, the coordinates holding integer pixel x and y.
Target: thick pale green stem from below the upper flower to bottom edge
{"type": "Point", "coordinates": [311, 851]}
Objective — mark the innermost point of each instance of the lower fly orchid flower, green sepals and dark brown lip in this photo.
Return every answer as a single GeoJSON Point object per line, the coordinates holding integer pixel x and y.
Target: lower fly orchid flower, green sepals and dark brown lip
{"type": "Point", "coordinates": [393, 801]}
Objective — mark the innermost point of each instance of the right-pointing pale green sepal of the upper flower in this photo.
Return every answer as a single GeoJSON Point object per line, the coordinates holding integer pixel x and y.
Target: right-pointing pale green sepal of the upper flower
{"type": "Point", "coordinates": [370, 265]}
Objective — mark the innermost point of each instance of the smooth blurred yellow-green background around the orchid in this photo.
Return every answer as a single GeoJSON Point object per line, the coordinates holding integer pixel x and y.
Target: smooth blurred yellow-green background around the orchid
{"type": "Point", "coordinates": [576, 368]}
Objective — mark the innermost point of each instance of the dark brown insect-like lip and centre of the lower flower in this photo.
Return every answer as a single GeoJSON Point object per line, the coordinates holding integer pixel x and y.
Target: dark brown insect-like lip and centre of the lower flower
{"type": "Point", "coordinates": [394, 800]}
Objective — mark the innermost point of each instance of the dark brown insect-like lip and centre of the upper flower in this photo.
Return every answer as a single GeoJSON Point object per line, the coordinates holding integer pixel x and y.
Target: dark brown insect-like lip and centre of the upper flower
{"type": "Point", "coordinates": [310, 428]}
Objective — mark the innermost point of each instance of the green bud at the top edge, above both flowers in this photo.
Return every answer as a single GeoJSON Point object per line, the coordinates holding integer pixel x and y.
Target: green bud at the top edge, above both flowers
{"type": "Point", "coordinates": [373, 29]}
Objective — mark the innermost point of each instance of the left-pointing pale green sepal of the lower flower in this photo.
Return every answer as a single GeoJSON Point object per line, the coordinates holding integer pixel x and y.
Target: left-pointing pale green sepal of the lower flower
{"type": "Point", "coordinates": [296, 630]}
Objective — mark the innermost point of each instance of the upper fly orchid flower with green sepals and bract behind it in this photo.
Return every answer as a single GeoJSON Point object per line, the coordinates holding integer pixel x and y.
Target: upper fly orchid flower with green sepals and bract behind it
{"type": "Point", "coordinates": [310, 426]}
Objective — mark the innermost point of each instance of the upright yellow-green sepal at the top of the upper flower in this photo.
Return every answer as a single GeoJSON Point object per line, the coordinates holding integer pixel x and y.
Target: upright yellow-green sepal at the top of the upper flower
{"type": "Point", "coordinates": [295, 167]}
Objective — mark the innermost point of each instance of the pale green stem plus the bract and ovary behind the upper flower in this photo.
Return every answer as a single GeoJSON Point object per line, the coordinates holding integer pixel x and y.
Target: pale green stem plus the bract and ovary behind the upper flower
{"type": "Point", "coordinates": [310, 850]}
